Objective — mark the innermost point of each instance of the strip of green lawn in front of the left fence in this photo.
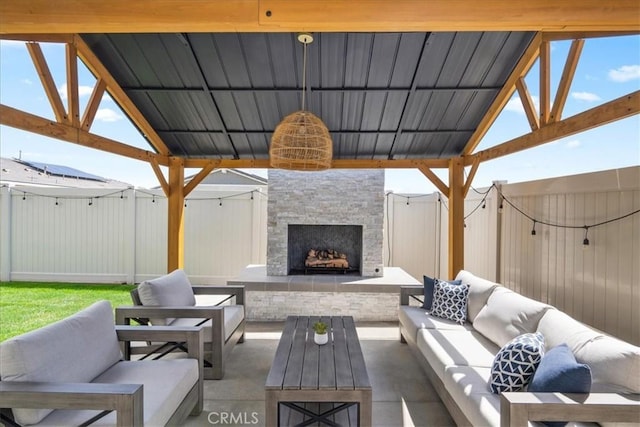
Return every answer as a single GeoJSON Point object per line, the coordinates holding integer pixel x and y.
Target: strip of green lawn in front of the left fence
{"type": "Point", "coordinates": [25, 306]}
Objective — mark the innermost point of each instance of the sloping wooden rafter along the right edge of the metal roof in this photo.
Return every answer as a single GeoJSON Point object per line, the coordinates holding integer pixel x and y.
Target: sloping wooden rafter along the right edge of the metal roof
{"type": "Point", "coordinates": [524, 65]}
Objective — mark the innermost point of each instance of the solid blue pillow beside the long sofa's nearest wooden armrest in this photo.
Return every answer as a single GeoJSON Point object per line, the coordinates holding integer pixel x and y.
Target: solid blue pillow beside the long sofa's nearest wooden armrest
{"type": "Point", "coordinates": [560, 372]}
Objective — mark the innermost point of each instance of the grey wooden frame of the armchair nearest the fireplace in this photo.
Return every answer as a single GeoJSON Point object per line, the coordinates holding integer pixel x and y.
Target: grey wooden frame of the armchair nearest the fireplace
{"type": "Point", "coordinates": [216, 348]}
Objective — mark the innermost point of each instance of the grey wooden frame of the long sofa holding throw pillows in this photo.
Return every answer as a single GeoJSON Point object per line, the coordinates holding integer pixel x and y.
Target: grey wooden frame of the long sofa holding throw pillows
{"type": "Point", "coordinates": [518, 408]}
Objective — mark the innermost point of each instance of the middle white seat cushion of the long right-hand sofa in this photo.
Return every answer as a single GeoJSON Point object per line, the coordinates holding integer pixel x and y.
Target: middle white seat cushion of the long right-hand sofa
{"type": "Point", "coordinates": [444, 348]}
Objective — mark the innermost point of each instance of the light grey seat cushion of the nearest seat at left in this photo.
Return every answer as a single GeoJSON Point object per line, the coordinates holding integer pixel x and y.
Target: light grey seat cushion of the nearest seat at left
{"type": "Point", "coordinates": [165, 382]}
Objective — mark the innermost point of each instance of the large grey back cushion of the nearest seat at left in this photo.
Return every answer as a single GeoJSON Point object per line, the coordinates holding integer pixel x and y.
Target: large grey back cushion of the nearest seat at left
{"type": "Point", "coordinates": [75, 349]}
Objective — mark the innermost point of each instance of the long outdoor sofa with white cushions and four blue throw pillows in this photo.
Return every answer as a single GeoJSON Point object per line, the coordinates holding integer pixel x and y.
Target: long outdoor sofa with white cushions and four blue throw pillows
{"type": "Point", "coordinates": [458, 358]}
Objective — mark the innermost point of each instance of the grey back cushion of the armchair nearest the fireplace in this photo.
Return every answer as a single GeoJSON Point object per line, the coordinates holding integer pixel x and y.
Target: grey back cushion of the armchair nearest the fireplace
{"type": "Point", "coordinates": [170, 290]}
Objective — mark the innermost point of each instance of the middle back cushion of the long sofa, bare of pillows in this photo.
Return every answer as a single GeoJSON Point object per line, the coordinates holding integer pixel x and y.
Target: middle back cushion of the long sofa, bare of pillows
{"type": "Point", "coordinates": [508, 315]}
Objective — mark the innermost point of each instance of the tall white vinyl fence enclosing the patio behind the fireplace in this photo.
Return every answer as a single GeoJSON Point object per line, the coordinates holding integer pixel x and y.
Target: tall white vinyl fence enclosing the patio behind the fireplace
{"type": "Point", "coordinates": [79, 235]}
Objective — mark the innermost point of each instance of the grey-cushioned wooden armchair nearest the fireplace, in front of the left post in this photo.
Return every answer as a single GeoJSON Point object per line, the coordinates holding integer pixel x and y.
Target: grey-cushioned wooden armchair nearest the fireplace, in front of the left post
{"type": "Point", "coordinates": [171, 299]}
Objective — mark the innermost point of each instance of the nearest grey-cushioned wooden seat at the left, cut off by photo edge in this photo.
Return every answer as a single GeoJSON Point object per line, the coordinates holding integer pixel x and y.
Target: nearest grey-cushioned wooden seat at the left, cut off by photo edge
{"type": "Point", "coordinates": [75, 366]}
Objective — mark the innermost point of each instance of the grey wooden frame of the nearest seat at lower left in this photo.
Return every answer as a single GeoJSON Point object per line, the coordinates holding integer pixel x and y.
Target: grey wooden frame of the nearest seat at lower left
{"type": "Point", "coordinates": [125, 399]}
